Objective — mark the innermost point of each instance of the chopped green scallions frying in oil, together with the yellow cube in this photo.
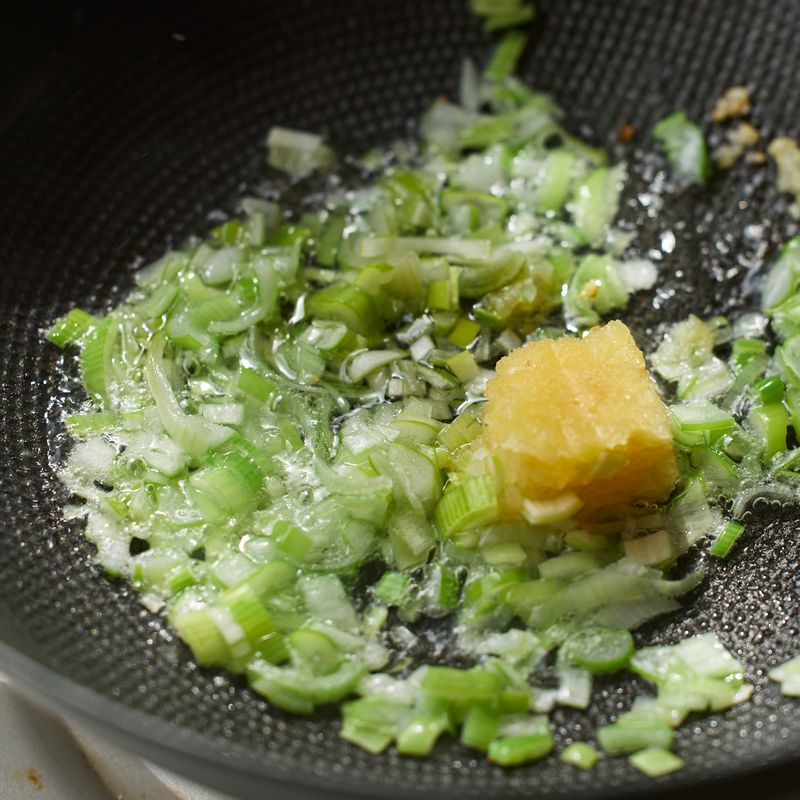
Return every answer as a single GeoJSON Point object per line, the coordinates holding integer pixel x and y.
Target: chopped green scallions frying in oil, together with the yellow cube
{"type": "Point", "coordinates": [285, 445]}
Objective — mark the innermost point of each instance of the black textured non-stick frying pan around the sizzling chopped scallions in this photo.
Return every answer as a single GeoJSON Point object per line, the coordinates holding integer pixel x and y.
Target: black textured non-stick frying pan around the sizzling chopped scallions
{"type": "Point", "coordinates": [125, 143]}
